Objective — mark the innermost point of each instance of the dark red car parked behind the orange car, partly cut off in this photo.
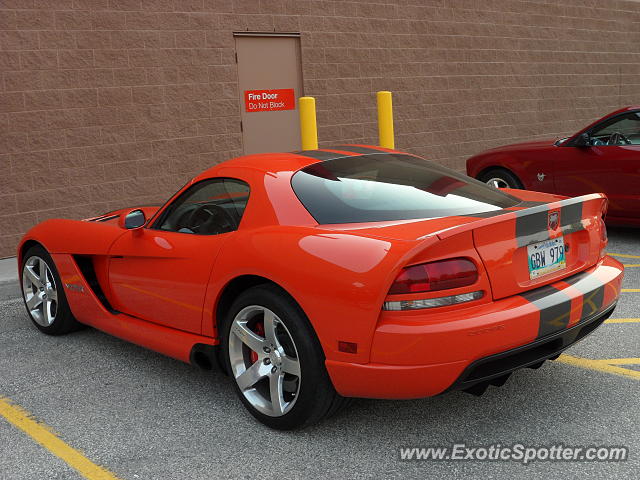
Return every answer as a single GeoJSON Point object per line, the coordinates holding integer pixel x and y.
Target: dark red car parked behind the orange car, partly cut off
{"type": "Point", "coordinates": [603, 157]}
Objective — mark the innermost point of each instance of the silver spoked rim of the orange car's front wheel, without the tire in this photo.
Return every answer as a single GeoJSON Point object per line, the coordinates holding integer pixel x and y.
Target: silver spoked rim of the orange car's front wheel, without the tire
{"type": "Point", "coordinates": [39, 290]}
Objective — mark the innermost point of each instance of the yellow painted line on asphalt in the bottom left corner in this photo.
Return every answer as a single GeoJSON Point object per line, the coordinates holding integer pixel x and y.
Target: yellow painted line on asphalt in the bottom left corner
{"type": "Point", "coordinates": [44, 436]}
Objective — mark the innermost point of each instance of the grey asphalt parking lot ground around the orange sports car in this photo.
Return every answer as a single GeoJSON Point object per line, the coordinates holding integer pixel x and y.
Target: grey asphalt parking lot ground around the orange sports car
{"type": "Point", "coordinates": [138, 414]}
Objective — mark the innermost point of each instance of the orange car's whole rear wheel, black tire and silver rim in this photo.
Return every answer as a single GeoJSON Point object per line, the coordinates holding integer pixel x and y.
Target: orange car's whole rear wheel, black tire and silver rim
{"type": "Point", "coordinates": [276, 361]}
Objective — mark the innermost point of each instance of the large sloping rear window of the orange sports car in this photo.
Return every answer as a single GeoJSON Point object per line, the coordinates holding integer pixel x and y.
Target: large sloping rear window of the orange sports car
{"type": "Point", "coordinates": [381, 187]}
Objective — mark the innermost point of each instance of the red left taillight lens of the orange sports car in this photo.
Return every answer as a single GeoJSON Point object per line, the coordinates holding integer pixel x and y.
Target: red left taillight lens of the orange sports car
{"type": "Point", "coordinates": [440, 275]}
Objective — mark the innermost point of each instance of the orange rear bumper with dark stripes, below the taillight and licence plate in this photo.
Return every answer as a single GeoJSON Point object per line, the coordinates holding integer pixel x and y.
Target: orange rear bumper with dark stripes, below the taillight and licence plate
{"type": "Point", "coordinates": [424, 354]}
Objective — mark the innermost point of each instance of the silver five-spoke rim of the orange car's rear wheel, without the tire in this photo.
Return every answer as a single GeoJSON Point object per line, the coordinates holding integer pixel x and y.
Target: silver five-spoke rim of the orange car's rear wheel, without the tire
{"type": "Point", "coordinates": [264, 360]}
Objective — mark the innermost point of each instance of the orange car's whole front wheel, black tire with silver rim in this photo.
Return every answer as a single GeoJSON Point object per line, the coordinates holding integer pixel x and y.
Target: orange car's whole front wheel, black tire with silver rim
{"type": "Point", "coordinates": [43, 294]}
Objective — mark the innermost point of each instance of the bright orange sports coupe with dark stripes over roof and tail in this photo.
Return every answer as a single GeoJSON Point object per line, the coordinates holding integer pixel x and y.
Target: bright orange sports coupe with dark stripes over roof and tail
{"type": "Point", "coordinates": [314, 276]}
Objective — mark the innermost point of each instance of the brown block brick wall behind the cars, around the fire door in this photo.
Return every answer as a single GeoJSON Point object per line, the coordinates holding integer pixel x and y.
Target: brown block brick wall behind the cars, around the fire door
{"type": "Point", "coordinates": [109, 103]}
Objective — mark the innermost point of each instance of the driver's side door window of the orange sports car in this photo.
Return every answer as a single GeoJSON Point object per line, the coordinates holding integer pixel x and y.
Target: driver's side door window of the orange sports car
{"type": "Point", "coordinates": [209, 207]}
